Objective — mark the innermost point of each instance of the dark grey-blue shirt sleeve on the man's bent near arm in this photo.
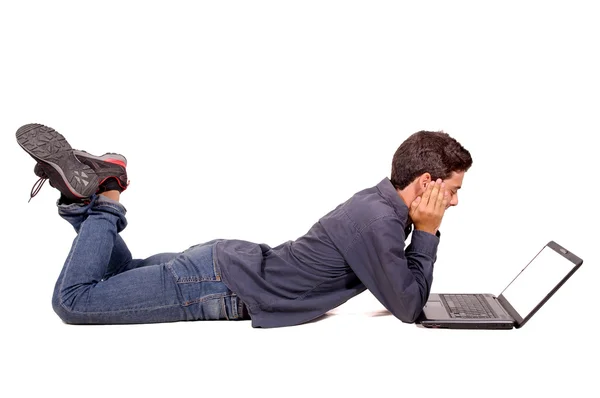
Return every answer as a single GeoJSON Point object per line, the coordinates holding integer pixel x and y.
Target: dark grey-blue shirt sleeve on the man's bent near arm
{"type": "Point", "coordinates": [400, 279]}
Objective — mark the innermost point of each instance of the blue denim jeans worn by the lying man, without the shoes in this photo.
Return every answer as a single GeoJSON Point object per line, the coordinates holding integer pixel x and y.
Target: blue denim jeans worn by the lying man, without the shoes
{"type": "Point", "coordinates": [101, 283]}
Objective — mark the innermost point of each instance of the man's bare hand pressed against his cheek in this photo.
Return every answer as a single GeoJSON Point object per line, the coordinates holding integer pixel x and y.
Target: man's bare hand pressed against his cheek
{"type": "Point", "coordinates": [427, 210]}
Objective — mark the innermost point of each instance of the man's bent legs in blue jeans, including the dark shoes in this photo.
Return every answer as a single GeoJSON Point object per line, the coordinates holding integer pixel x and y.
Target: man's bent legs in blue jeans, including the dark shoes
{"type": "Point", "coordinates": [186, 286]}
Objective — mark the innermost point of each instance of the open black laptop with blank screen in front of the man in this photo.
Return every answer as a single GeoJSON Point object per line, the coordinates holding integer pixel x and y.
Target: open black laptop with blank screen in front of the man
{"type": "Point", "coordinates": [517, 303]}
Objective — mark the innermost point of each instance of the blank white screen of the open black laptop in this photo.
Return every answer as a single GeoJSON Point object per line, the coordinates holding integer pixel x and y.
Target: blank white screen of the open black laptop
{"type": "Point", "coordinates": [537, 280]}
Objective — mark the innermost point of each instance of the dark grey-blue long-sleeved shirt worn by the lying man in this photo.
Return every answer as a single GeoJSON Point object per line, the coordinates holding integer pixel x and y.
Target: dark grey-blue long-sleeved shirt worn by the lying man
{"type": "Point", "coordinates": [357, 246]}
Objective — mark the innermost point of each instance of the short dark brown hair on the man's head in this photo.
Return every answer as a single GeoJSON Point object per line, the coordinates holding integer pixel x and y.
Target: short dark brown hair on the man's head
{"type": "Point", "coordinates": [433, 152]}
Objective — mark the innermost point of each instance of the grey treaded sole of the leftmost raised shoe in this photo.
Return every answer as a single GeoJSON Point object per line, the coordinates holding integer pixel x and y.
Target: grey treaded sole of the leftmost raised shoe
{"type": "Point", "coordinates": [71, 177]}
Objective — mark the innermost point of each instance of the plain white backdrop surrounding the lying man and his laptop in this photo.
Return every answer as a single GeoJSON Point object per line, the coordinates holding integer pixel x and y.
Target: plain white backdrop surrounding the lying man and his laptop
{"type": "Point", "coordinates": [253, 119]}
